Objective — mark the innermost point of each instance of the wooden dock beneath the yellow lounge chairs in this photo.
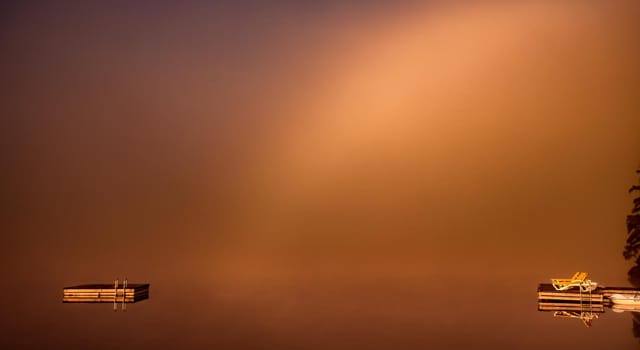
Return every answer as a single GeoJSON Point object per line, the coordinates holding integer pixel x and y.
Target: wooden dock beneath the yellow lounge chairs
{"type": "Point", "coordinates": [601, 295]}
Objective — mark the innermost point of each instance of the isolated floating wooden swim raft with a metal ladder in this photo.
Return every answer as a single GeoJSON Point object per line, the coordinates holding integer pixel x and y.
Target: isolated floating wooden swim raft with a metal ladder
{"type": "Point", "coordinates": [105, 293]}
